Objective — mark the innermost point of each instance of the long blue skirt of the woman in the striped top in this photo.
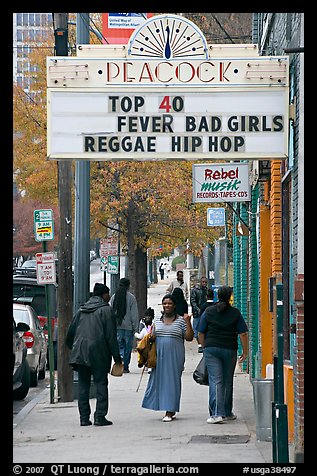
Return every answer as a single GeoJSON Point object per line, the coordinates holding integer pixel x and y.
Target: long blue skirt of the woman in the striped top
{"type": "Point", "coordinates": [163, 390]}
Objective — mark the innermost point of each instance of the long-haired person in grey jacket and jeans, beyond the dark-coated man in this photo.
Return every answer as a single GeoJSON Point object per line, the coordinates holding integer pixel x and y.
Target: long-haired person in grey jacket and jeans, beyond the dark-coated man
{"type": "Point", "coordinates": [127, 318]}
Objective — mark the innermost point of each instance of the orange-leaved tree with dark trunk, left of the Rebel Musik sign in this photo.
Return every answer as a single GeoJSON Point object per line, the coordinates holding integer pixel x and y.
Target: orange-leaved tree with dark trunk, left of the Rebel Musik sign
{"type": "Point", "coordinates": [152, 205]}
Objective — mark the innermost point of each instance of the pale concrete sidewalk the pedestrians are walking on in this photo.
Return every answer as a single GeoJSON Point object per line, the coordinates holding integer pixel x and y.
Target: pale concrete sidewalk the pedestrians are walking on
{"type": "Point", "coordinates": [50, 433]}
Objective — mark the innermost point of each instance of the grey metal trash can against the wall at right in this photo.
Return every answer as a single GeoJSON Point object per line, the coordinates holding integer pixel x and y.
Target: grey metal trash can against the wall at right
{"type": "Point", "coordinates": [263, 395]}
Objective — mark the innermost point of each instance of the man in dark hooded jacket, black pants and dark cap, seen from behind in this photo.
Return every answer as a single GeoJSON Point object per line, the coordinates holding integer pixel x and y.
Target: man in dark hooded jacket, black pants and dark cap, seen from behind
{"type": "Point", "coordinates": [92, 338]}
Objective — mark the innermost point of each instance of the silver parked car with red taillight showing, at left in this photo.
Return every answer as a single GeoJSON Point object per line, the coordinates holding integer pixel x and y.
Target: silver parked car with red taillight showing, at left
{"type": "Point", "coordinates": [35, 341]}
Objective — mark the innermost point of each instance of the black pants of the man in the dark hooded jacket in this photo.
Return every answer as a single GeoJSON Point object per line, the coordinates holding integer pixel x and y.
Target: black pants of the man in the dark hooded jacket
{"type": "Point", "coordinates": [101, 385]}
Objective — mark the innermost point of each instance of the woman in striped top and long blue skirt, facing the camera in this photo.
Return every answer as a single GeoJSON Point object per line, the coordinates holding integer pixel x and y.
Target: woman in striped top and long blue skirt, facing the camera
{"type": "Point", "coordinates": [163, 390]}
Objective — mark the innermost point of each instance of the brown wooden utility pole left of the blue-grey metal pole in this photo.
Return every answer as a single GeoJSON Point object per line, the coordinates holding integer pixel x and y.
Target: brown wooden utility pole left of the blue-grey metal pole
{"type": "Point", "coordinates": [65, 307]}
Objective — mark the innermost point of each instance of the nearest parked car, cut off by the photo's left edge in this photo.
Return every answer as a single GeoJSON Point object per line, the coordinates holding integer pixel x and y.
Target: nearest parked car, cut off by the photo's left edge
{"type": "Point", "coordinates": [20, 366]}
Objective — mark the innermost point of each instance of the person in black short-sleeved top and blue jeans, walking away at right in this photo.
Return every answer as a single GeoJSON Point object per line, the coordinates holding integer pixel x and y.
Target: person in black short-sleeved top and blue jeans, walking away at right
{"type": "Point", "coordinates": [218, 332]}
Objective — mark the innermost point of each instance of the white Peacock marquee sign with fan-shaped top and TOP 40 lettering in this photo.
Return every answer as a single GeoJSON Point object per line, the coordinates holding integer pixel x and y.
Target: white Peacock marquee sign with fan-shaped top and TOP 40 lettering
{"type": "Point", "coordinates": [166, 97]}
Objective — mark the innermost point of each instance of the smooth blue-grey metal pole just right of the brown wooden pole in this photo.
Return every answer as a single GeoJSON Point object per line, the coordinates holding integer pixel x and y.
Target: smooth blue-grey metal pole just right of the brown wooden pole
{"type": "Point", "coordinates": [82, 202]}
